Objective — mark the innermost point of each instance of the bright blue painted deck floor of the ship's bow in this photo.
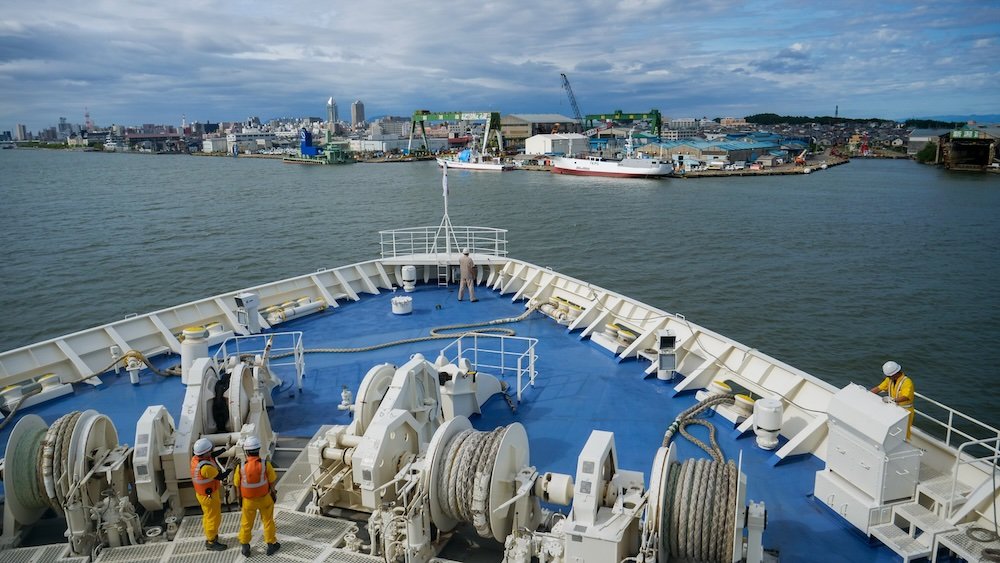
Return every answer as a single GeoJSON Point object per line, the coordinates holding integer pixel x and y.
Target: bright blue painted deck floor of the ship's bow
{"type": "Point", "coordinates": [579, 388]}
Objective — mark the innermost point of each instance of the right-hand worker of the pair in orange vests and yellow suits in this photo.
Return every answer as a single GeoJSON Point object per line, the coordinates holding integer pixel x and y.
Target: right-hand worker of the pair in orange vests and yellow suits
{"type": "Point", "coordinates": [255, 478]}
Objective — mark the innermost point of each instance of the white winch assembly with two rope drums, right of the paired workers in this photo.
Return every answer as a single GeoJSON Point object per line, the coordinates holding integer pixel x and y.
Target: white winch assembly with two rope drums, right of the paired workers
{"type": "Point", "coordinates": [412, 459]}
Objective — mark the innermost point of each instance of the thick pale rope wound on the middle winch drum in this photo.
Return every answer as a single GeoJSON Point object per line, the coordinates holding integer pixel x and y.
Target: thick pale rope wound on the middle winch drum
{"type": "Point", "coordinates": [466, 476]}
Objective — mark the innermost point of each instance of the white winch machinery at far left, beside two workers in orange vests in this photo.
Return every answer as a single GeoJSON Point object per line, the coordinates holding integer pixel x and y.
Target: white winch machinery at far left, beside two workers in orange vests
{"type": "Point", "coordinates": [106, 491]}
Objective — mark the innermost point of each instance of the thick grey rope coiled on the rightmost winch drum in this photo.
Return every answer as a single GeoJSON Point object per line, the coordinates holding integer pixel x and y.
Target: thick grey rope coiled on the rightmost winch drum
{"type": "Point", "coordinates": [700, 495]}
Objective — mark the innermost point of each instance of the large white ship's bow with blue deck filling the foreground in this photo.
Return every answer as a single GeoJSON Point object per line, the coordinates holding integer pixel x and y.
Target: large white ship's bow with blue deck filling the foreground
{"type": "Point", "coordinates": [540, 423]}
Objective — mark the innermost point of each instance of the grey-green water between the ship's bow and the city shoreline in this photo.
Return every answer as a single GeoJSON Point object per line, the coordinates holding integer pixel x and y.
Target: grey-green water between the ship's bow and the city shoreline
{"type": "Point", "coordinates": [834, 273]}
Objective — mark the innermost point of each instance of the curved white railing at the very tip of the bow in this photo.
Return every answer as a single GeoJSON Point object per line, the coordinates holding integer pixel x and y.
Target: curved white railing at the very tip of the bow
{"type": "Point", "coordinates": [432, 240]}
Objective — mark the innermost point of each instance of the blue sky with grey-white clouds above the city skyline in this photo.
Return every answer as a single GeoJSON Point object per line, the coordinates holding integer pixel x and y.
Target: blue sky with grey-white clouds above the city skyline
{"type": "Point", "coordinates": [133, 62]}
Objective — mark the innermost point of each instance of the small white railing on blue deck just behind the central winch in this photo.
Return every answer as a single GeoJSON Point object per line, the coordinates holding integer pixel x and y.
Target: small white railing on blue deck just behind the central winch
{"type": "Point", "coordinates": [505, 354]}
